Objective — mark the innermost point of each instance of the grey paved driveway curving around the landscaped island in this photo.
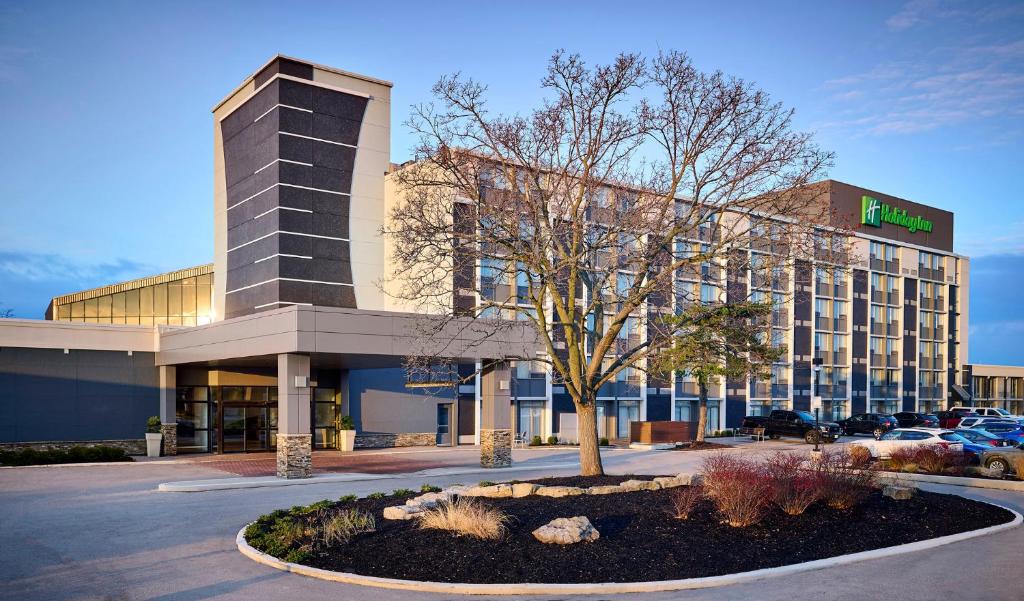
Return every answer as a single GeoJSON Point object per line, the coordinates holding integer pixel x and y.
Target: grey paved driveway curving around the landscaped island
{"type": "Point", "coordinates": [104, 533]}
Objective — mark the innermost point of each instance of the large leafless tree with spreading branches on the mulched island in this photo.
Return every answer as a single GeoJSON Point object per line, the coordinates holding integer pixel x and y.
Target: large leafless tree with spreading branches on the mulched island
{"type": "Point", "coordinates": [582, 217]}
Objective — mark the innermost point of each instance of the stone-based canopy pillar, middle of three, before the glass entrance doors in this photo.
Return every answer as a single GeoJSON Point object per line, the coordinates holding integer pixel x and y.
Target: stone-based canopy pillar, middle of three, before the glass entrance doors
{"type": "Point", "coordinates": [294, 439]}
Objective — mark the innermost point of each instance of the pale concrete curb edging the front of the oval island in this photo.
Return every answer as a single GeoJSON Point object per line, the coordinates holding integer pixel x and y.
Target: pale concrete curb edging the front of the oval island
{"type": "Point", "coordinates": [612, 588]}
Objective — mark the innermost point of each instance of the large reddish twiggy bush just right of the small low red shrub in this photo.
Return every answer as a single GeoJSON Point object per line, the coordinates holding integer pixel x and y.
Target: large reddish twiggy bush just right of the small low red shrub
{"type": "Point", "coordinates": [739, 487]}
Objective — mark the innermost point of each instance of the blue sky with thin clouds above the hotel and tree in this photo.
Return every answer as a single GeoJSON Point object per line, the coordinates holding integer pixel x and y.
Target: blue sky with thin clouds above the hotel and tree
{"type": "Point", "coordinates": [107, 138]}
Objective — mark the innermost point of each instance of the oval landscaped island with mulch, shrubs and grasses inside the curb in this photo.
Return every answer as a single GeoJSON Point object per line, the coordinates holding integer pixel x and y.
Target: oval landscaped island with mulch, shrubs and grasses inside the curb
{"type": "Point", "coordinates": [738, 516]}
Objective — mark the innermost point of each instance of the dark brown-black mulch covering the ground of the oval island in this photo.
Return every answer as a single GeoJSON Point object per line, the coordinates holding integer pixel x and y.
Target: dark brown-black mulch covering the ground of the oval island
{"type": "Point", "coordinates": [642, 542]}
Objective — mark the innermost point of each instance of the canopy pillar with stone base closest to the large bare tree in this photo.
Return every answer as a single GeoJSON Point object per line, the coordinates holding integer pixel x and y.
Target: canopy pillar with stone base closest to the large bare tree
{"type": "Point", "coordinates": [496, 416]}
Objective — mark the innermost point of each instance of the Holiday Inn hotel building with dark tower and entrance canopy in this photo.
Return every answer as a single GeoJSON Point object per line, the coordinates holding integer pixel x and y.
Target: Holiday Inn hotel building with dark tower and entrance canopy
{"type": "Point", "coordinates": [287, 330]}
